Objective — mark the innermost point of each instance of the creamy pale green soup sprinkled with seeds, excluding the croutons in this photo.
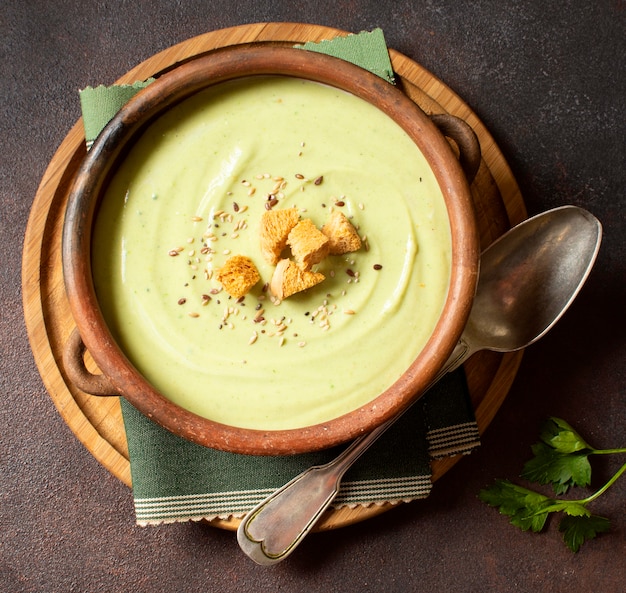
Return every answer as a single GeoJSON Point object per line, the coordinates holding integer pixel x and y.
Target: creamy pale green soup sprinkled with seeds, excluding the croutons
{"type": "Point", "coordinates": [190, 195]}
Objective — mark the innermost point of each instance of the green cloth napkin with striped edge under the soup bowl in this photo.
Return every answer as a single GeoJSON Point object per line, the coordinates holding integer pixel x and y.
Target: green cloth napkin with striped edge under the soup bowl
{"type": "Point", "coordinates": [176, 480]}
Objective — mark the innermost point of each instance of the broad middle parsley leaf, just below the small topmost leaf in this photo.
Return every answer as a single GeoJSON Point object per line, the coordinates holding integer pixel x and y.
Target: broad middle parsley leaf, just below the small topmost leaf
{"type": "Point", "coordinates": [562, 471]}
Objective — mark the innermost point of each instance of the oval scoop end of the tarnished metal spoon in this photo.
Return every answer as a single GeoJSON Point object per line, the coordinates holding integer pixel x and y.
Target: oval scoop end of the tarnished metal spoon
{"type": "Point", "coordinates": [529, 277]}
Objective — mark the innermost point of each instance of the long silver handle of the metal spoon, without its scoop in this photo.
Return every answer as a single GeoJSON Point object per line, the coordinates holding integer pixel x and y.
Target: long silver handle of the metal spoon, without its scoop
{"type": "Point", "coordinates": [275, 527]}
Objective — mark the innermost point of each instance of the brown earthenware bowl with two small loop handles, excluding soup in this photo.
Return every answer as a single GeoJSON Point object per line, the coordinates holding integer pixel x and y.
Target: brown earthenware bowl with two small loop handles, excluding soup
{"type": "Point", "coordinates": [120, 377]}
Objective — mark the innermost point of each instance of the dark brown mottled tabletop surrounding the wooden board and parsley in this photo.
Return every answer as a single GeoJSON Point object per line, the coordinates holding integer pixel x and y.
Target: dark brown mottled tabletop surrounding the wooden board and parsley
{"type": "Point", "coordinates": [549, 81]}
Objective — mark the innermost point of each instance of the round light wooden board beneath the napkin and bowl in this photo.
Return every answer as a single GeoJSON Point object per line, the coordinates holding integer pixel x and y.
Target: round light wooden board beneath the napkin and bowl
{"type": "Point", "coordinates": [97, 421]}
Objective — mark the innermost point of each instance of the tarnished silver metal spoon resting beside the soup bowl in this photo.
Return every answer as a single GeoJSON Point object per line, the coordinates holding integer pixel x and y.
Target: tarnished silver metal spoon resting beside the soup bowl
{"type": "Point", "coordinates": [528, 279]}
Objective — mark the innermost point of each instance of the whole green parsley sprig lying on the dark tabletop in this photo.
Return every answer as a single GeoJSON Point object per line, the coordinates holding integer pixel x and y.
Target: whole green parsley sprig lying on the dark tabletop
{"type": "Point", "coordinates": [561, 459]}
